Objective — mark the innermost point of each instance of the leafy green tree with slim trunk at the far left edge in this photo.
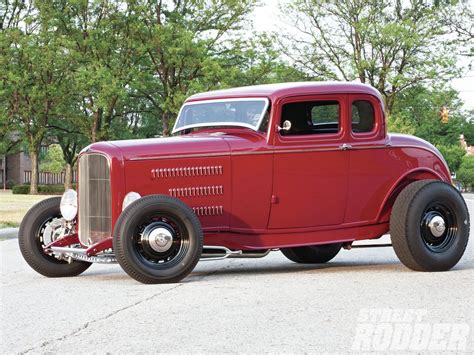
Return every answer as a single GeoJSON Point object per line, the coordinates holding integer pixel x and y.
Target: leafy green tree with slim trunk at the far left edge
{"type": "Point", "coordinates": [35, 75]}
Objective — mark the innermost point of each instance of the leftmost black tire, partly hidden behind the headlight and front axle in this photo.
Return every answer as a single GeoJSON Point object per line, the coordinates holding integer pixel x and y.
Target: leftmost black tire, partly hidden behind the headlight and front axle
{"type": "Point", "coordinates": [30, 239]}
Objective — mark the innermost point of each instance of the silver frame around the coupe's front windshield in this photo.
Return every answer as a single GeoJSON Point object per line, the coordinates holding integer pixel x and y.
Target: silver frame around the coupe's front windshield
{"type": "Point", "coordinates": [228, 124]}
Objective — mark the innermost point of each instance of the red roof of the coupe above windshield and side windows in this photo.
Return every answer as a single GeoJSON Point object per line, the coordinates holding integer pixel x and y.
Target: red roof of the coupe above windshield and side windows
{"type": "Point", "coordinates": [276, 91]}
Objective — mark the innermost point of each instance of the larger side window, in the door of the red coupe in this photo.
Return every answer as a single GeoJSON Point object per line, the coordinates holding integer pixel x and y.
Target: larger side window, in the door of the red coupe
{"type": "Point", "coordinates": [312, 117]}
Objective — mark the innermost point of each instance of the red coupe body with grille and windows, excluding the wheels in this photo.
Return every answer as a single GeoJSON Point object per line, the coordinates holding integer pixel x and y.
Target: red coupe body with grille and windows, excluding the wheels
{"type": "Point", "coordinates": [331, 177]}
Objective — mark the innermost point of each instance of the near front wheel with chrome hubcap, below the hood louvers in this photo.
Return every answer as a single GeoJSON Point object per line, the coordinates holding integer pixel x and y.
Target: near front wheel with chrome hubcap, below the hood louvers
{"type": "Point", "coordinates": [158, 239]}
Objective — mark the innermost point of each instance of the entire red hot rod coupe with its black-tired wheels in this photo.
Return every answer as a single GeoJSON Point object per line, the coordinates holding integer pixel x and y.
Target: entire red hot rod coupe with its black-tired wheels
{"type": "Point", "coordinates": [306, 168]}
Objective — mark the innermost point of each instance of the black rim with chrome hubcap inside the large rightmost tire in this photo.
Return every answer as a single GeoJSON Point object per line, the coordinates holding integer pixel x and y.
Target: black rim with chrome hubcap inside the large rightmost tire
{"type": "Point", "coordinates": [438, 227]}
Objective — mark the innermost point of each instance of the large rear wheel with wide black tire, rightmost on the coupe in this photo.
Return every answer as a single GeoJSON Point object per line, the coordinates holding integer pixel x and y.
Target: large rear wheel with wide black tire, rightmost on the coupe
{"type": "Point", "coordinates": [429, 226]}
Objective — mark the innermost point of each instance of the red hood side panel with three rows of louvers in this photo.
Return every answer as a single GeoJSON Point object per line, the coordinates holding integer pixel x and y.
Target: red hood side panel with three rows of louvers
{"type": "Point", "coordinates": [204, 184]}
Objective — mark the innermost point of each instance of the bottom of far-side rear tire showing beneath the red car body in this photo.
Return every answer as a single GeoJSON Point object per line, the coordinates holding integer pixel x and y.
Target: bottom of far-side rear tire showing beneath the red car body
{"type": "Point", "coordinates": [316, 254]}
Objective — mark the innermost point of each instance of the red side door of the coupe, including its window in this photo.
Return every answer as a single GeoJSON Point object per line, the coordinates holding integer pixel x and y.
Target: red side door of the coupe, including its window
{"type": "Point", "coordinates": [310, 177]}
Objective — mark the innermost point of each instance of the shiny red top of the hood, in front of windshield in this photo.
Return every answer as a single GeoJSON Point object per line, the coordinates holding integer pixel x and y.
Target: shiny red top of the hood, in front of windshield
{"type": "Point", "coordinates": [186, 145]}
